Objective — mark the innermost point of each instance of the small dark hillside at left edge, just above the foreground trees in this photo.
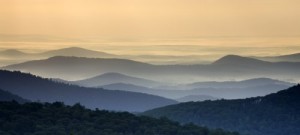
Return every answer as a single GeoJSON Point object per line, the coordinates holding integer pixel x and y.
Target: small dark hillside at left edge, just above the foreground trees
{"type": "Point", "coordinates": [7, 96]}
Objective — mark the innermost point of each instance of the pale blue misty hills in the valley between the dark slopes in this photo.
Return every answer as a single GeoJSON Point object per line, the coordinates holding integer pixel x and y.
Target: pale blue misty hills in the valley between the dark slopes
{"type": "Point", "coordinates": [241, 89]}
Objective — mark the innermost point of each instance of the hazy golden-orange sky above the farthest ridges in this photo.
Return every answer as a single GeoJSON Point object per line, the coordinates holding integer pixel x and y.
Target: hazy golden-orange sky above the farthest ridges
{"type": "Point", "coordinates": [165, 27]}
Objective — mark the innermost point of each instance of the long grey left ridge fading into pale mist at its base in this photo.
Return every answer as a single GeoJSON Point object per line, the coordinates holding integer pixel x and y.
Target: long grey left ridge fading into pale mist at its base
{"type": "Point", "coordinates": [75, 68]}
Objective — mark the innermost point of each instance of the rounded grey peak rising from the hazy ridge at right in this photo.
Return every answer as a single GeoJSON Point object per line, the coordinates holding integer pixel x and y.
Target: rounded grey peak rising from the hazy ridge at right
{"type": "Point", "coordinates": [234, 59]}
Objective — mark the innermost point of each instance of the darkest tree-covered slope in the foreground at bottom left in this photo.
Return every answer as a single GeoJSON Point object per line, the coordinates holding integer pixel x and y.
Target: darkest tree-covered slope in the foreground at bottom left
{"type": "Point", "coordinates": [59, 119]}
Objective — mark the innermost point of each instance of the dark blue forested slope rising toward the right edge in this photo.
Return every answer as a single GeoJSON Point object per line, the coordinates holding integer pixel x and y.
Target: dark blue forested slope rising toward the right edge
{"type": "Point", "coordinates": [274, 114]}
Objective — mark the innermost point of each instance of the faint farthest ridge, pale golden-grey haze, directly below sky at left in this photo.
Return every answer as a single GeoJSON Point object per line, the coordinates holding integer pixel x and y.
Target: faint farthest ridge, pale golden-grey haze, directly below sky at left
{"type": "Point", "coordinates": [13, 56]}
